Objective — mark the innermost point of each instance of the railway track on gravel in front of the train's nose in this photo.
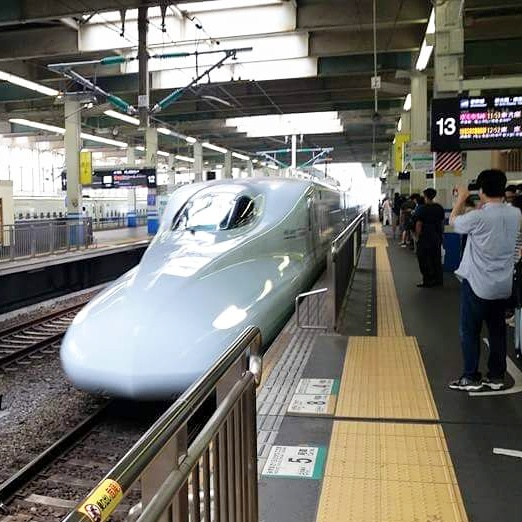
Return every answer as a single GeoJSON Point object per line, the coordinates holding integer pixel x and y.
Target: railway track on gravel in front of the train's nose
{"type": "Point", "coordinates": [52, 484]}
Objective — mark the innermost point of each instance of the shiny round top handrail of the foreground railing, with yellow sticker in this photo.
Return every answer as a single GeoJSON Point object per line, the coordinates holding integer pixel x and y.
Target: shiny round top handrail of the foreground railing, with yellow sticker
{"type": "Point", "coordinates": [134, 463]}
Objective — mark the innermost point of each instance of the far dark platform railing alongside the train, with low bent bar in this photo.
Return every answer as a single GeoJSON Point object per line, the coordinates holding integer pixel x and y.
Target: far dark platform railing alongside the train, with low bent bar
{"type": "Point", "coordinates": [342, 261]}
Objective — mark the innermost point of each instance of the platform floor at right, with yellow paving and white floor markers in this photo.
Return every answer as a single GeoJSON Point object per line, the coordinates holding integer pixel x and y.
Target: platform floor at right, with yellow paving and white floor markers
{"type": "Point", "coordinates": [363, 427]}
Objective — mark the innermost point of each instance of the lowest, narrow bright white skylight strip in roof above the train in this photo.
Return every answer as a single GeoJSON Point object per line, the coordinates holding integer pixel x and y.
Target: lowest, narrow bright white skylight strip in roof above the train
{"type": "Point", "coordinates": [288, 124]}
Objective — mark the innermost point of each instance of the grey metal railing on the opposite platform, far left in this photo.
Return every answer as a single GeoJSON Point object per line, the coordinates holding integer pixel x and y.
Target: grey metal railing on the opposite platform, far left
{"type": "Point", "coordinates": [25, 240]}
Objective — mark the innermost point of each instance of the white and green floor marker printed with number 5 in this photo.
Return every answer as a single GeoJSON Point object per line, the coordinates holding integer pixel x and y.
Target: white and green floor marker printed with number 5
{"type": "Point", "coordinates": [306, 462]}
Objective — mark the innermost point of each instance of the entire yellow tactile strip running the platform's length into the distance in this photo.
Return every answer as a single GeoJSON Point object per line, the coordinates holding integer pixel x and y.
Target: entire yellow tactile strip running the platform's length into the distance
{"type": "Point", "coordinates": [386, 471]}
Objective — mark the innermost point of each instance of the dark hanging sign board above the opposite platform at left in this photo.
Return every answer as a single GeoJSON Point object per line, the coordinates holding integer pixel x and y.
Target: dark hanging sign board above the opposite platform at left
{"type": "Point", "coordinates": [119, 178]}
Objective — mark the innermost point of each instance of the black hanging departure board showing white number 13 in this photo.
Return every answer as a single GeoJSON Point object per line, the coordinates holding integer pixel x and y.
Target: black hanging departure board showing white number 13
{"type": "Point", "coordinates": [476, 123]}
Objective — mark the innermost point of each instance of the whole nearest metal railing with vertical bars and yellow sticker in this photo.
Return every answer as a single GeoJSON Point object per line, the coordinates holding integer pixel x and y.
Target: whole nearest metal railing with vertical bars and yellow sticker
{"type": "Point", "coordinates": [215, 477]}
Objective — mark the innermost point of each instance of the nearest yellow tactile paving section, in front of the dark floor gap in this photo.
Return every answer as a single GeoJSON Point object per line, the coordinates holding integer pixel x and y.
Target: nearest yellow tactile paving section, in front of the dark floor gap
{"type": "Point", "coordinates": [389, 473]}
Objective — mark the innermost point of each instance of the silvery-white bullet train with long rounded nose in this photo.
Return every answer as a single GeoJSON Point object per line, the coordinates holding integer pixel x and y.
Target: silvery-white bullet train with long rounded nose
{"type": "Point", "coordinates": [228, 254]}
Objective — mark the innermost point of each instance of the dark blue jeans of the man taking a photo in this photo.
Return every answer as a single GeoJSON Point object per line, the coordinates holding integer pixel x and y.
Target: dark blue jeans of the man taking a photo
{"type": "Point", "coordinates": [473, 312]}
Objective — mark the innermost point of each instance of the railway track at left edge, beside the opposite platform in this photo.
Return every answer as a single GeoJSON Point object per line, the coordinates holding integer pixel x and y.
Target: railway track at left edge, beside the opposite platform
{"type": "Point", "coordinates": [33, 339]}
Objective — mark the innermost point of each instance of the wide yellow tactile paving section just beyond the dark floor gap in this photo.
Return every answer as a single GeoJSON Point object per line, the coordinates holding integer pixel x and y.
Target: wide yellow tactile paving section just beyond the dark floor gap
{"type": "Point", "coordinates": [384, 377]}
